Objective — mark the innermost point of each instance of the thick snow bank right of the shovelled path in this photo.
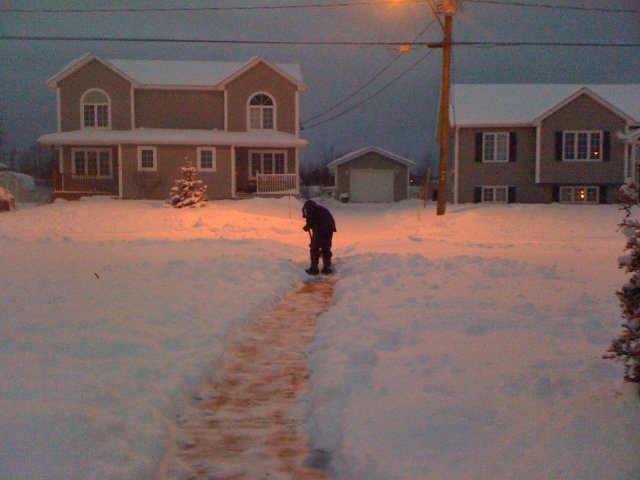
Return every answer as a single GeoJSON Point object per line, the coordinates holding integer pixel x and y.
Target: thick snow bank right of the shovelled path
{"type": "Point", "coordinates": [470, 367]}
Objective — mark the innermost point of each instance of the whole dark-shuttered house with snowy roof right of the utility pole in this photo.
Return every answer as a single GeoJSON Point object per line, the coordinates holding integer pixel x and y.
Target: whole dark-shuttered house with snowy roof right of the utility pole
{"type": "Point", "coordinates": [531, 143]}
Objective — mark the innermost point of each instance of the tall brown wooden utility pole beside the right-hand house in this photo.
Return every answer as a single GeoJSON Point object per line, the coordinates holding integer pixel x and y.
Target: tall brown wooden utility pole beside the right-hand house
{"type": "Point", "coordinates": [449, 8]}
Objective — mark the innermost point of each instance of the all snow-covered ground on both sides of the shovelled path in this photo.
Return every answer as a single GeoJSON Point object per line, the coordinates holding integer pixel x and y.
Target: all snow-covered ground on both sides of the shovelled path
{"type": "Point", "coordinates": [463, 346]}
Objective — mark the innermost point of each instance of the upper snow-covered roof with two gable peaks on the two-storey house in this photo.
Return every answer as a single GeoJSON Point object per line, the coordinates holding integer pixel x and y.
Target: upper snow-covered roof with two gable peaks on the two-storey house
{"type": "Point", "coordinates": [179, 73]}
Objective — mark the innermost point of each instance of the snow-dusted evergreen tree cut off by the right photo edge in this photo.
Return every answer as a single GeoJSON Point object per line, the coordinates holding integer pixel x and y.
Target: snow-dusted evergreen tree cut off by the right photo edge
{"type": "Point", "coordinates": [626, 347]}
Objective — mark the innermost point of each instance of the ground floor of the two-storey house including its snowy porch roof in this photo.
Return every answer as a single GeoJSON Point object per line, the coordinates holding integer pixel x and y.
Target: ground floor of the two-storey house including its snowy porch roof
{"type": "Point", "coordinates": [238, 164]}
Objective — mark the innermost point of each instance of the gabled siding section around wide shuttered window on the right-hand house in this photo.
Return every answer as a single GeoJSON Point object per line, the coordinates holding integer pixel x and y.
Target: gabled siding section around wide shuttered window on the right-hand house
{"type": "Point", "coordinates": [583, 113]}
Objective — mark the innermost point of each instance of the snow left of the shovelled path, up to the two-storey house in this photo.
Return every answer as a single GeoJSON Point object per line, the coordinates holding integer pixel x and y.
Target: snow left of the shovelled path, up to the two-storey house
{"type": "Point", "coordinates": [103, 341]}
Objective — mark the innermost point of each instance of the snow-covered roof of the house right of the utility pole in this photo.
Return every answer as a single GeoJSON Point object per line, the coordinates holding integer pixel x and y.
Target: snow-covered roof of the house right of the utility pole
{"type": "Point", "coordinates": [524, 104]}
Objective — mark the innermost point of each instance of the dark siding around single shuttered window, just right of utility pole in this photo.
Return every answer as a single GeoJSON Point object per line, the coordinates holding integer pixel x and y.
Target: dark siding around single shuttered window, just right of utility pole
{"type": "Point", "coordinates": [519, 174]}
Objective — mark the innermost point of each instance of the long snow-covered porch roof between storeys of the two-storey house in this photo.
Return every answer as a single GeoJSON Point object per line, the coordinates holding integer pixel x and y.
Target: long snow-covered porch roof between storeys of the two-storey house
{"type": "Point", "coordinates": [161, 136]}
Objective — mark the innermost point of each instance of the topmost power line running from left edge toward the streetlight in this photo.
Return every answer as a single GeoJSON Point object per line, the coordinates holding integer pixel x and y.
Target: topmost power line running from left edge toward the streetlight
{"type": "Point", "coordinates": [209, 9]}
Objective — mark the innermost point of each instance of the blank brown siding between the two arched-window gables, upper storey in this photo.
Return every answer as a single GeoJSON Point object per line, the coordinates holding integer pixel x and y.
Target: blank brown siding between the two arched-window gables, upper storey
{"type": "Point", "coordinates": [179, 109]}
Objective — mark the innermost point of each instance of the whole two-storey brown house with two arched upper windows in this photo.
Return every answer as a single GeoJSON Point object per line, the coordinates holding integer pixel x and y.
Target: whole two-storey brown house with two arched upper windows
{"type": "Point", "coordinates": [125, 127]}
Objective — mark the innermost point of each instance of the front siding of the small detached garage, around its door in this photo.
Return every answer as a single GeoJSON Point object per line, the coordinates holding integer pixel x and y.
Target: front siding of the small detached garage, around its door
{"type": "Point", "coordinates": [373, 160]}
